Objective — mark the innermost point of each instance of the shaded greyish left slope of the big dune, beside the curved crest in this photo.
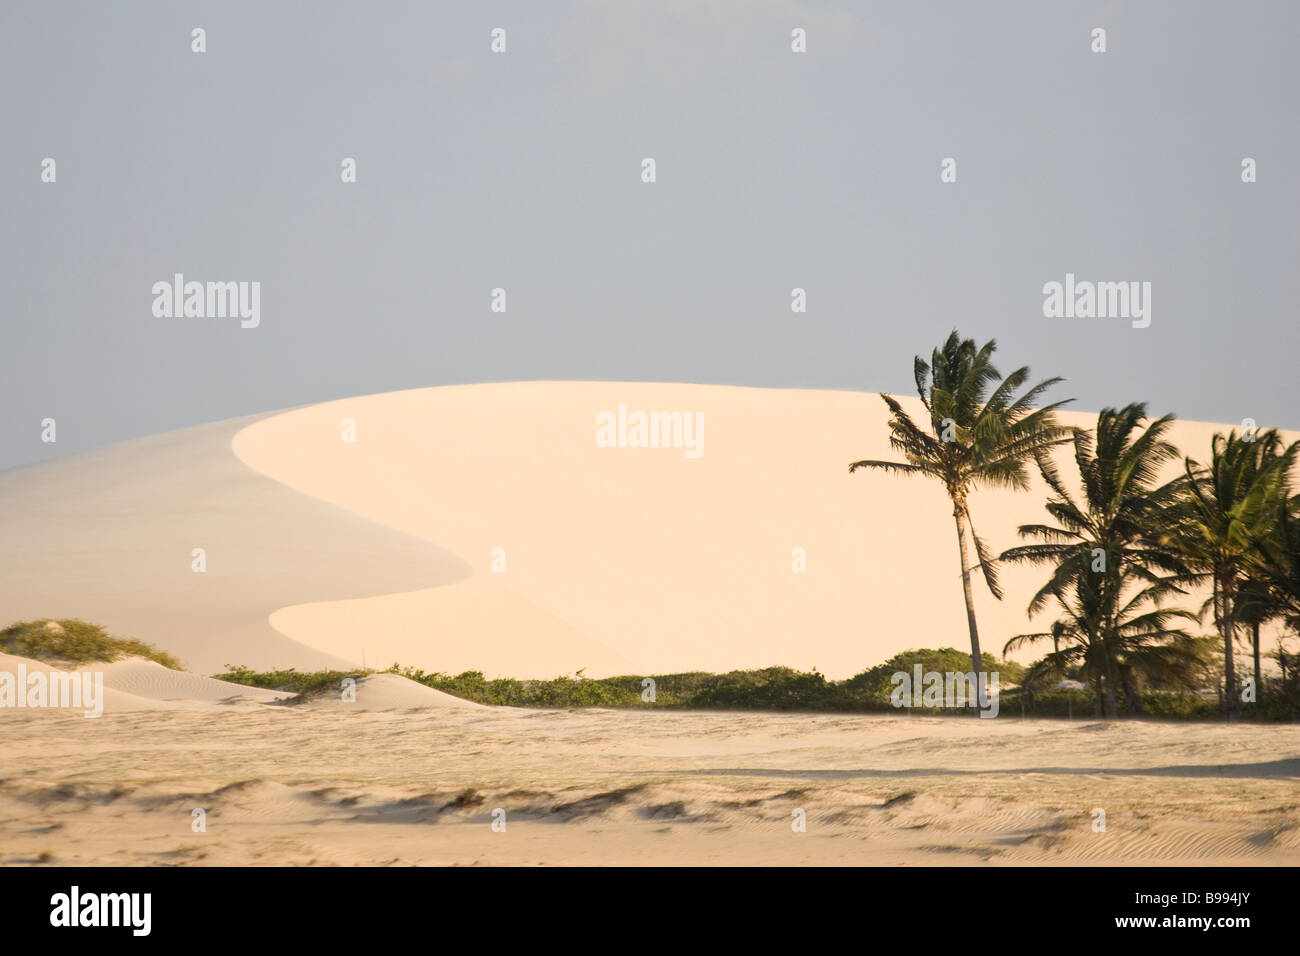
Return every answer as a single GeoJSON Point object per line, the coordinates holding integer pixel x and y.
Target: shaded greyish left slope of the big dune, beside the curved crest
{"type": "Point", "coordinates": [109, 537]}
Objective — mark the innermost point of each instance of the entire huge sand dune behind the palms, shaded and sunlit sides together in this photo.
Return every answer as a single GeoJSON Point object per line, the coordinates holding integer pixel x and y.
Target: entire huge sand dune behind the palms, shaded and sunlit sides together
{"type": "Point", "coordinates": [618, 561]}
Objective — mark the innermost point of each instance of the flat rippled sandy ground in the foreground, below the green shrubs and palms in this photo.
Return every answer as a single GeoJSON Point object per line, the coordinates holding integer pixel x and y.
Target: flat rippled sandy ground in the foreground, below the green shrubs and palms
{"type": "Point", "coordinates": [328, 785]}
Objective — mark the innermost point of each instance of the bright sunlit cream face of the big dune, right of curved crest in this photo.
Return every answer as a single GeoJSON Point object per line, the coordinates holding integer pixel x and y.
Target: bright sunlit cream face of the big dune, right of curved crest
{"type": "Point", "coordinates": [644, 560]}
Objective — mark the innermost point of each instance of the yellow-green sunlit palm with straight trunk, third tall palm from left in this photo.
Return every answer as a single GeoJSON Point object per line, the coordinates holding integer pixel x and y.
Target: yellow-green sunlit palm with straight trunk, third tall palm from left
{"type": "Point", "coordinates": [1228, 508]}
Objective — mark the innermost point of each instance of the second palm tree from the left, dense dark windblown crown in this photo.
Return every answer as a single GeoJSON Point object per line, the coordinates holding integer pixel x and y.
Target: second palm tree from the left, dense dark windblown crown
{"type": "Point", "coordinates": [1108, 535]}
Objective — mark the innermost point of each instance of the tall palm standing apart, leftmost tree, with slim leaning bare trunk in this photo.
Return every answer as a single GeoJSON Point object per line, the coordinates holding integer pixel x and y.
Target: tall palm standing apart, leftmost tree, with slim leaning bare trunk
{"type": "Point", "coordinates": [980, 435]}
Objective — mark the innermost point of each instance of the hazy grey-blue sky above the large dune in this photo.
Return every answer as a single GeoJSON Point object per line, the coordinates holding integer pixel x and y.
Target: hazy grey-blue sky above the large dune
{"type": "Point", "coordinates": [523, 171]}
